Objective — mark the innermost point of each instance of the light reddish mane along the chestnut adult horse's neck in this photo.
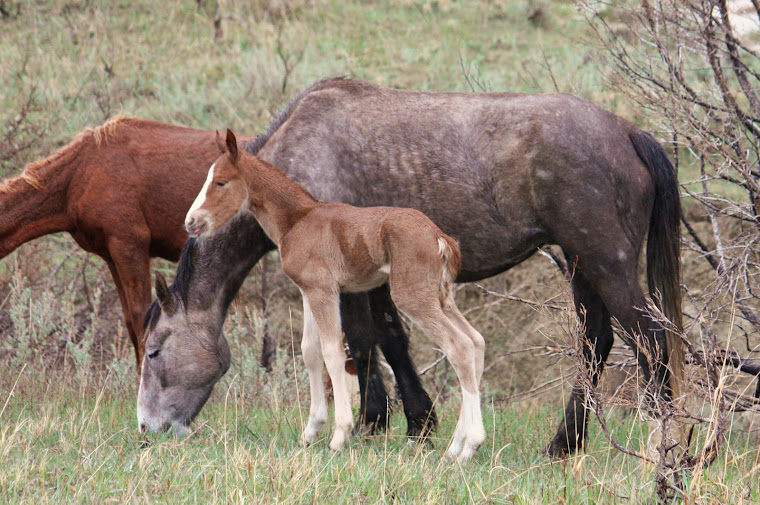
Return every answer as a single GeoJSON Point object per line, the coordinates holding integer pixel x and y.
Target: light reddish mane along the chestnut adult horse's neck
{"type": "Point", "coordinates": [33, 172]}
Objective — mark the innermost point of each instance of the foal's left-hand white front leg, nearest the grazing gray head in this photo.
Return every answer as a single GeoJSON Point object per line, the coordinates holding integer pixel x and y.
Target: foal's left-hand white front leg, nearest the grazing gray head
{"type": "Point", "coordinates": [312, 358]}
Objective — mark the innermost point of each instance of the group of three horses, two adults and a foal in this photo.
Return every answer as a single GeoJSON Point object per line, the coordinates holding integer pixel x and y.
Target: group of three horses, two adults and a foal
{"type": "Point", "coordinates": [500, 174]}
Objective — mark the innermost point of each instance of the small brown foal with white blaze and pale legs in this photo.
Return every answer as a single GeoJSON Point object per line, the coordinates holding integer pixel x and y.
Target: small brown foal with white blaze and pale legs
{"type": "Point", "coordinates": [329, 248]}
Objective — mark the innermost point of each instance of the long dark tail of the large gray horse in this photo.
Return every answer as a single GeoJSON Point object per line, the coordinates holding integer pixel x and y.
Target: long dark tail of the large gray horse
{"type": "Point", "coordinates": [663, 248]}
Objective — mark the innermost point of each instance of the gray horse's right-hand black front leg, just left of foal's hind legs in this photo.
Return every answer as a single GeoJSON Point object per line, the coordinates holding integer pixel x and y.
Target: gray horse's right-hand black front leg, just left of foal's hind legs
{"type": "Point", "coordinates": [420, 414]}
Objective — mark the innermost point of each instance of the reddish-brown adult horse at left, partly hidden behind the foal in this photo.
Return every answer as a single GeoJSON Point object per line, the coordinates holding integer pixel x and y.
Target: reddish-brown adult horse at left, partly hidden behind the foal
{"type": "Point", "coordinates": [122, 191]}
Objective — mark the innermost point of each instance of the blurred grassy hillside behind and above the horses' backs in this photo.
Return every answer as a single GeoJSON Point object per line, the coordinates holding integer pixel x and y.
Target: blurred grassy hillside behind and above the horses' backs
{"type": "Point", "coordinates": [89, 60]}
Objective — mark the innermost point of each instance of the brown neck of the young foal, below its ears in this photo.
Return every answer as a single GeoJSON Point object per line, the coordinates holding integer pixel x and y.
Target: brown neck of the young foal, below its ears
{"type": "Point", "coordinates": [276, 201]}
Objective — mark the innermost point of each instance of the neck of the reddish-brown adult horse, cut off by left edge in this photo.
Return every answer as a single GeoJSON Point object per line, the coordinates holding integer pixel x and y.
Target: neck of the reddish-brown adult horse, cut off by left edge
{"type": "Point", "coordinates": [28, 212]}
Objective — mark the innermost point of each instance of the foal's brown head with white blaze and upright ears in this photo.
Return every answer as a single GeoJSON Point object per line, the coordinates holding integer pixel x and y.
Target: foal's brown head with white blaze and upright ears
{"type": "Point", "coordinates": [223, 195]}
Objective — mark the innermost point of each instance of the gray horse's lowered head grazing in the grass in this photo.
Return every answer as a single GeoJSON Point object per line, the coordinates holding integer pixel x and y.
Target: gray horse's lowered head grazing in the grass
{"type": "Point", "coordinates": [185, 355]}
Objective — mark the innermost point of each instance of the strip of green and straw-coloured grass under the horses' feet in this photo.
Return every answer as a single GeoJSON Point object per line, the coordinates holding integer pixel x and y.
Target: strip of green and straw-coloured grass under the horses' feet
{"type": "Point", "coordinates": [65, 441]}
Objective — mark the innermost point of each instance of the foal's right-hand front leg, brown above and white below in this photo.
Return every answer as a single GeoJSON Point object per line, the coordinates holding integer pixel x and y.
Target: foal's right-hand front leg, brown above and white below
{"type": "Point", "coordinates": [325, 306]}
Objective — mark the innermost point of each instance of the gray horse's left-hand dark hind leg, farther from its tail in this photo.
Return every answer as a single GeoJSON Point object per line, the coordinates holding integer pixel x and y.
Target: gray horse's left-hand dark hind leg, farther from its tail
{"type": "Point", "coordinates": [571, 432]}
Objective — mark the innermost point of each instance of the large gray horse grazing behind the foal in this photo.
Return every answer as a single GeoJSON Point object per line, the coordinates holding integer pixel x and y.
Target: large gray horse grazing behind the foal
{"type": "Point", "coordinates": [502, 173]}
